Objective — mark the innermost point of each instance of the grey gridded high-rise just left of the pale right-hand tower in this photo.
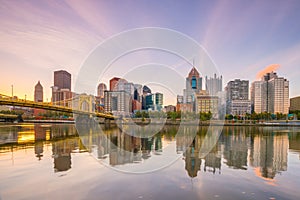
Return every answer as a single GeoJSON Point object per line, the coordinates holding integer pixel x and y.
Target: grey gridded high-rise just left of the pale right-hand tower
{"type": "Point", "coordinates": [237, 97]}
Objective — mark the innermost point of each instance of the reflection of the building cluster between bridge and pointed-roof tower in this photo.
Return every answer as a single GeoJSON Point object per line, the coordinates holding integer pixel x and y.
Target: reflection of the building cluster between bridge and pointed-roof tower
{"type": "Point", "coordinates": [120, 148]}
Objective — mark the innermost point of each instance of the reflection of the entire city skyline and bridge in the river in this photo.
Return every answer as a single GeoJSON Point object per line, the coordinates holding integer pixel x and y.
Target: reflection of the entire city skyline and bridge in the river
{"type": "Point", "coordinates": [265, 150]}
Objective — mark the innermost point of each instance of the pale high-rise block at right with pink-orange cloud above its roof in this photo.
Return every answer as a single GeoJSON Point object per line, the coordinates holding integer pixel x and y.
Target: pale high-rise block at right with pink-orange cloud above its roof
{"type": "Point", "coordinates": [270, 94]}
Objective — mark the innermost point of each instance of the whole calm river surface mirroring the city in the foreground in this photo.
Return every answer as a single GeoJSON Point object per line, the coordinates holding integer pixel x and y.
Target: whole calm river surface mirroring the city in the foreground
{"type": "Point", "coordinates": [50, 161]}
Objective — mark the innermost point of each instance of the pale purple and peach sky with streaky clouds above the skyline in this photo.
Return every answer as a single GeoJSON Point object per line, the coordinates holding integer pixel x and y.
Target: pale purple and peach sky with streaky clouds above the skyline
{"type": "Point", "coordinates": [241, 37]}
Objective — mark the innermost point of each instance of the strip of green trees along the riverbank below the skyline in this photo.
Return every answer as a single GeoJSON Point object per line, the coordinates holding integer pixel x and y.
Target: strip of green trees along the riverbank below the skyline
{"type": "Point", "coordinates": [174, 118]}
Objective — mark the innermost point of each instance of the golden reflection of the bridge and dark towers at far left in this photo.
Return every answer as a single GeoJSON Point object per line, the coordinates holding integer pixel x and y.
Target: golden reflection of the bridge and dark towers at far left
{"type": "Point", "coordinates": [62, 138]}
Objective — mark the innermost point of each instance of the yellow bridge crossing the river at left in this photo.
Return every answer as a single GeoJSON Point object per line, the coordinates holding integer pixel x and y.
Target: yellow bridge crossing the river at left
{"type": "Point", "coordinates": [82, 99]}
